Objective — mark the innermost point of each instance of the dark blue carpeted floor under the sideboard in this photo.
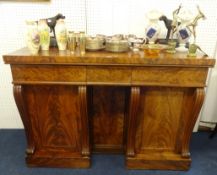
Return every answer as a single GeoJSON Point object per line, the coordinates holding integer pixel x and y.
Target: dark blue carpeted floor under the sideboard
{"type": "Point", "coordinates": [12, 146]}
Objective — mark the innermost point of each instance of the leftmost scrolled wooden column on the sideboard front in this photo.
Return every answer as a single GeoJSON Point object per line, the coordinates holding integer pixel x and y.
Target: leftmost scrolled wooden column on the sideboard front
{"type": "Point", "coordinates": [20, 102]}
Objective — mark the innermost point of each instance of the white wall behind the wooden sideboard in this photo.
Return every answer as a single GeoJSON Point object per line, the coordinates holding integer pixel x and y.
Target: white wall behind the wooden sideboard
{"type": "Point", "coordinates": [96, 16]}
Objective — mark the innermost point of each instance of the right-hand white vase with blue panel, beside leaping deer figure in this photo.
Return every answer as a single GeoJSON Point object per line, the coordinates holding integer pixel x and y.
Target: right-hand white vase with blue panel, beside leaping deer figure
{"type": "Point", "coordinates": [183, 31]}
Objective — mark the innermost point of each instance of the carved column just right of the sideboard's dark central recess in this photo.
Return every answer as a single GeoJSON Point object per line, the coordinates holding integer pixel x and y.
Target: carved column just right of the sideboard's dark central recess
{"type": "Point", "coordinates": [131, 123]}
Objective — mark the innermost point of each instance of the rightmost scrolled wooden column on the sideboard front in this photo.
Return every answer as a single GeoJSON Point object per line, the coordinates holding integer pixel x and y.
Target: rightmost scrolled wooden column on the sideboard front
{"type": "Point", "coordinates": [196, 107]}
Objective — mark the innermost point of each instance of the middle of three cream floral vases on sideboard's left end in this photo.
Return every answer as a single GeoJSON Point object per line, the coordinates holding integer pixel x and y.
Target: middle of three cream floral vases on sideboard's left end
{"type": "Point", "coordinates": [44, 32]}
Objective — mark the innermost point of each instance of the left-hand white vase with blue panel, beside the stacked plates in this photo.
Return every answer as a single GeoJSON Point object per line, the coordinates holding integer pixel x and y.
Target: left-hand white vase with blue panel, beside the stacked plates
{"type": "Point", "coordinates": [153, 28]}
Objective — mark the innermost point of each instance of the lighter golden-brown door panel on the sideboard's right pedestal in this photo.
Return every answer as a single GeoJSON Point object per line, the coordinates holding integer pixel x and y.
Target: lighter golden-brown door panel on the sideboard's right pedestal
{"type": "Point", "coordinates": [160, 119]}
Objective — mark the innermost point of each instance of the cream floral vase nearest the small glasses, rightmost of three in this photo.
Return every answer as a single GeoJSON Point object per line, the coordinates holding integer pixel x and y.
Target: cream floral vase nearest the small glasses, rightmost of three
{"type": "Point", "coordinates": [61, 34]}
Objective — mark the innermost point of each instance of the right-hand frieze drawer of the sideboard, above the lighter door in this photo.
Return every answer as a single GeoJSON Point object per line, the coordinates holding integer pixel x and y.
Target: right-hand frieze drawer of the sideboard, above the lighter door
{"type": "Point", "coordinates": [169, 76]}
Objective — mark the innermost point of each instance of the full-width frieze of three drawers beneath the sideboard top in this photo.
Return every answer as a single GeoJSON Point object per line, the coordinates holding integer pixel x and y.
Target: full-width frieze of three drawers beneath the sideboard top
{"type": "Point", "coordinates": [102, 75]}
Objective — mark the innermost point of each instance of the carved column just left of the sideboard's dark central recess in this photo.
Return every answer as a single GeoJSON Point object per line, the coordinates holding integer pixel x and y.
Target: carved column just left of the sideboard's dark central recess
{"type": "Point", "coordinates": [85, 151]}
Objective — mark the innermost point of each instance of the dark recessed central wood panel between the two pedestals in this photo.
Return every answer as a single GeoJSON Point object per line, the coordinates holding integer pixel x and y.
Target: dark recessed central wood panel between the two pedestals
{"type": "Point", "coordinates": [107, 119]}
